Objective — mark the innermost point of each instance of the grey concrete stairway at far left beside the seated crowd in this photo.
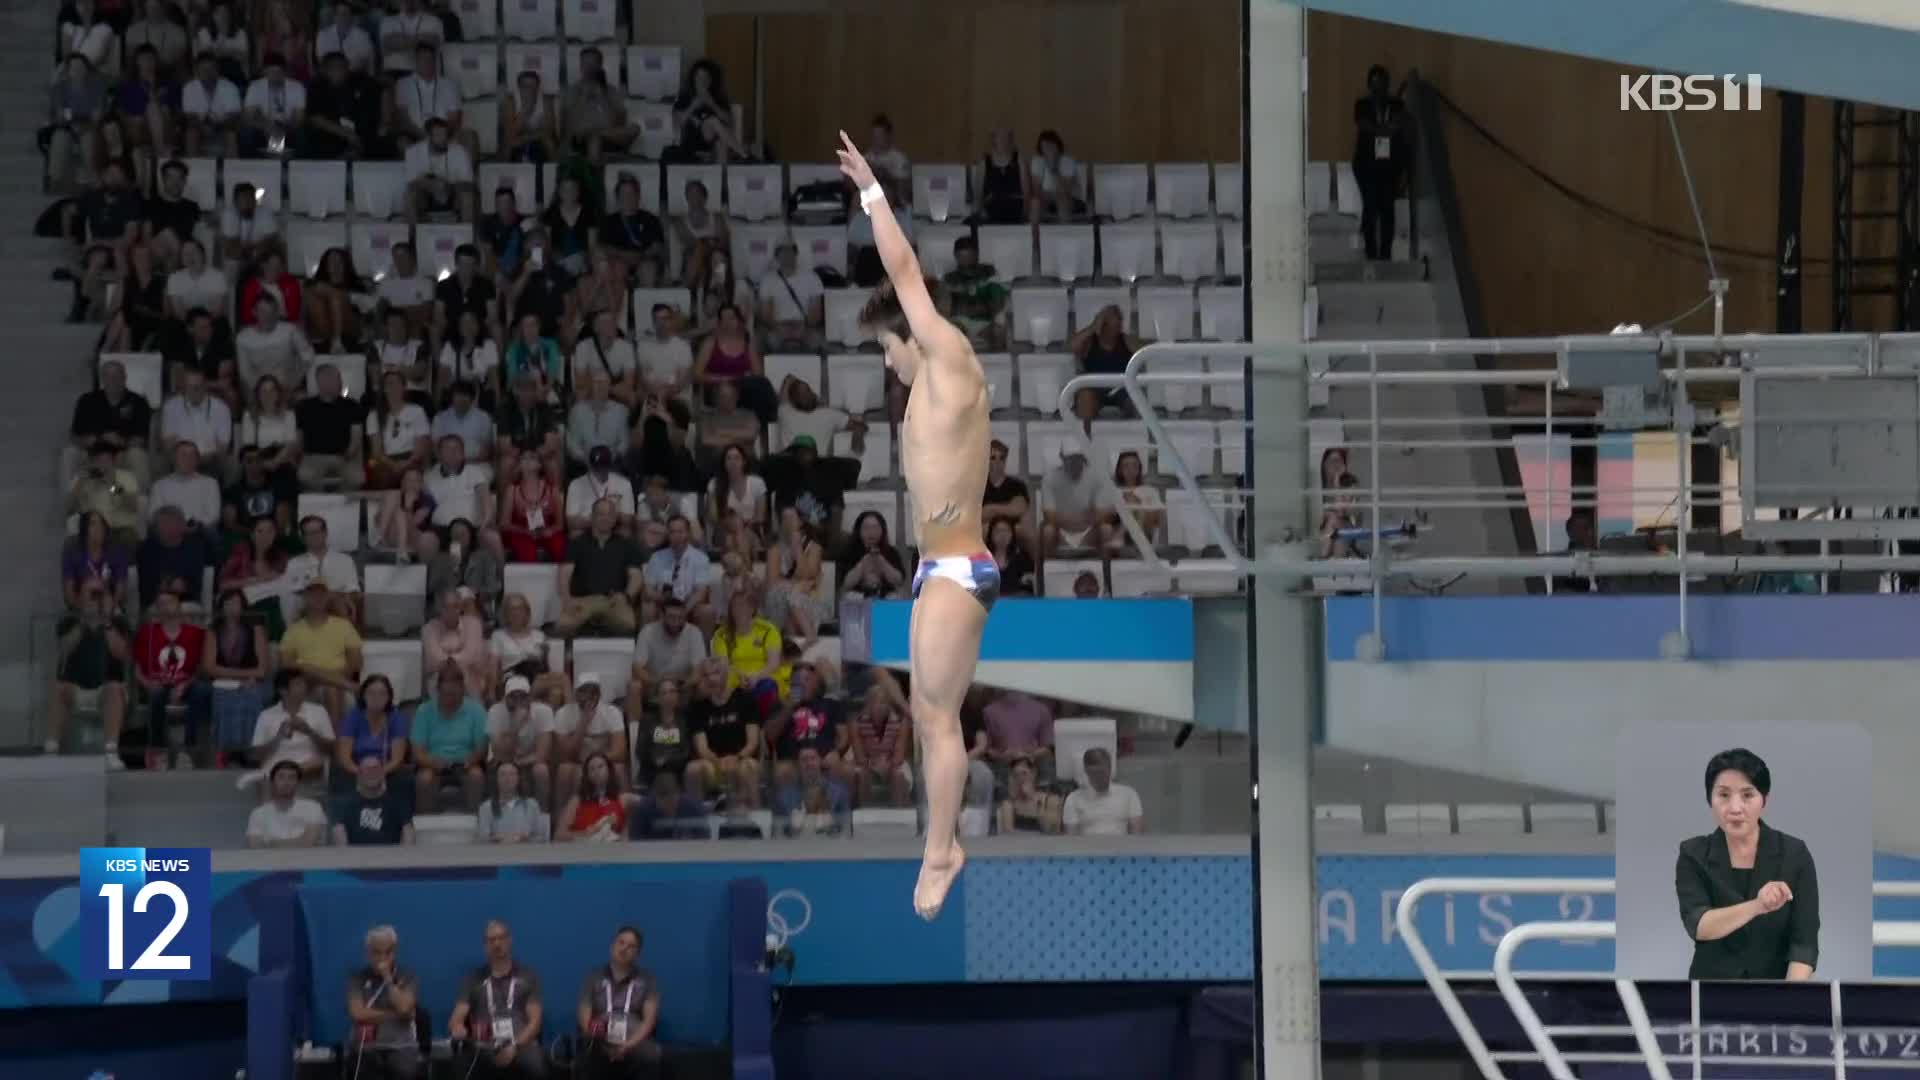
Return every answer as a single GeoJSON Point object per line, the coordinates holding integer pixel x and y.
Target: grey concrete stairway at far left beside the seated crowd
{"type": "Point", "coordinates": [47, 368]}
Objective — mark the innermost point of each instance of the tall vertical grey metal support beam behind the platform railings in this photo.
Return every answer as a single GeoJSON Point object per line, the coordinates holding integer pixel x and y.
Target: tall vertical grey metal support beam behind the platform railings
{"type": "Point", "coordinates": [1284, 626]}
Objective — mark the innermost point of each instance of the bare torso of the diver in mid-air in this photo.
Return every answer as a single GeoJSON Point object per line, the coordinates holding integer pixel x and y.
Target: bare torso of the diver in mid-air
{"type": "Point", "coordinates": [944, 451]}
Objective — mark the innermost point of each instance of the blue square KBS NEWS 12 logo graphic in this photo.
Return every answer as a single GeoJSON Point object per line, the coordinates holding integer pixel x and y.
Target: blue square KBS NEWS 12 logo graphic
{"type": "Point", "coordinates": [147, 914]}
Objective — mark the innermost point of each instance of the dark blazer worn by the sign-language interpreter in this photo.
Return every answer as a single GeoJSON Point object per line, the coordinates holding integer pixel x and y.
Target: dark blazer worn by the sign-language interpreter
{"type": "Point", "coordinates": [1764, 948]}
